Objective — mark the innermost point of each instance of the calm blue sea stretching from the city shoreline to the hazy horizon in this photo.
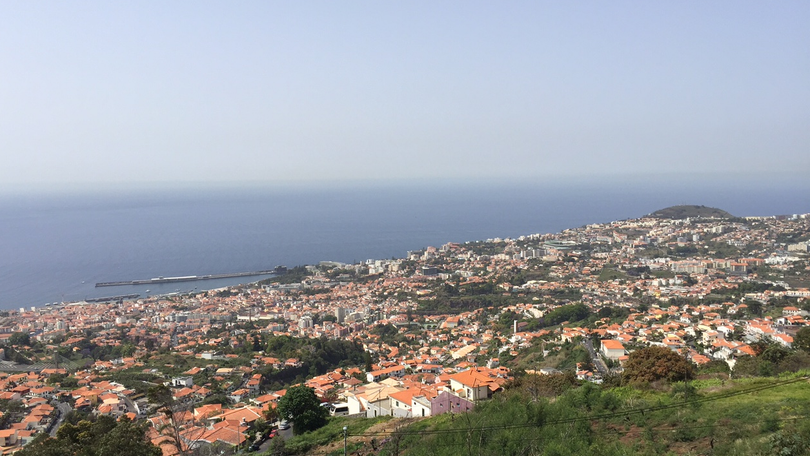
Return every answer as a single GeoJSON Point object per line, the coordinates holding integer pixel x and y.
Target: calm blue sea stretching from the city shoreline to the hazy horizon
{"type": "Point", "coordinates": [54, 246]}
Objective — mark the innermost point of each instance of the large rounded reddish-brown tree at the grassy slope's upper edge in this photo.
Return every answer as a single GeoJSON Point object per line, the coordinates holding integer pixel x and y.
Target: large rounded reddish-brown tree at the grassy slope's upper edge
{"type": "Point", "coordinates": [656, 363]}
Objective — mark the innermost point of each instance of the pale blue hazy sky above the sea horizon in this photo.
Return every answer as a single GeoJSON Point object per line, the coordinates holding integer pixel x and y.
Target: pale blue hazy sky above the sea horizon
{"type": "Point", "coordinates": [100, 92]}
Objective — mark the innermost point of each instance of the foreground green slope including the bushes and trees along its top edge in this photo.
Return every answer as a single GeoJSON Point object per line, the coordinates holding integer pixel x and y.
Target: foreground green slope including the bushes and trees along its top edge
{"type": "Point", "coordinates": [653, 412]}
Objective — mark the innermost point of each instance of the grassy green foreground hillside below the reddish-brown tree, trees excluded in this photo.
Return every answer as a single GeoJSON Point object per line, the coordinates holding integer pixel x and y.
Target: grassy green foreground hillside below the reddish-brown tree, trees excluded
{"type": "Point", "coordinates": [719, 417]}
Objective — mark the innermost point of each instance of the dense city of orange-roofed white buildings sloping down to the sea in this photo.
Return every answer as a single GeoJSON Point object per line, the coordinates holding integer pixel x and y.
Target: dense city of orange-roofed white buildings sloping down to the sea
{"type": "Point", "coordinates": [438, 331]}
